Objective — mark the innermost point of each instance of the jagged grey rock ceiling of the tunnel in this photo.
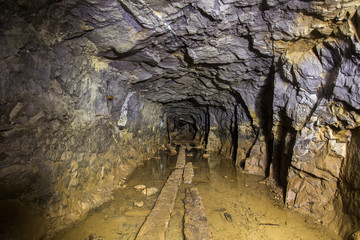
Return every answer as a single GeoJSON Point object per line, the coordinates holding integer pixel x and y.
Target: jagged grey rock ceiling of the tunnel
{"type": "Point", "coordinates": [190, 54]}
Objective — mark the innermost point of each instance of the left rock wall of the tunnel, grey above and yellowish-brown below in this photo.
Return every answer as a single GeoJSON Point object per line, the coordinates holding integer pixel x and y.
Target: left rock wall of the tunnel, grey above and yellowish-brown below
{"type": "Point", "coordinates": [71, 129]}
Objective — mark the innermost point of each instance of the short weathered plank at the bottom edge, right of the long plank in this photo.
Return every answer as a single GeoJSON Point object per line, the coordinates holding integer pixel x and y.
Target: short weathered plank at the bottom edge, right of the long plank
{"type": "Point", "coordinates": [195, 224]}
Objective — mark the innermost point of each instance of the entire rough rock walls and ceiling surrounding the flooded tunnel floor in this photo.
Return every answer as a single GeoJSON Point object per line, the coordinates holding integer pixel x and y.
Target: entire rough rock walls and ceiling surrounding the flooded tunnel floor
{"type": "Point", "coordinates": [87, 89]}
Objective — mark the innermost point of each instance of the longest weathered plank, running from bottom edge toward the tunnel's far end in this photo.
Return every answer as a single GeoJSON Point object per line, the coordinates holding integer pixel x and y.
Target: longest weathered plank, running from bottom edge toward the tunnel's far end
{"type": "Point", "coordinates": [157, 221]}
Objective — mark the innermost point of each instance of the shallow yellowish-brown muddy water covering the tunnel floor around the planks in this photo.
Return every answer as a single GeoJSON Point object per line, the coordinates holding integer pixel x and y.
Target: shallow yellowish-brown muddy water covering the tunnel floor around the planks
{"type": "Point", "coordinates": [237, 206]}
